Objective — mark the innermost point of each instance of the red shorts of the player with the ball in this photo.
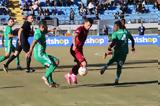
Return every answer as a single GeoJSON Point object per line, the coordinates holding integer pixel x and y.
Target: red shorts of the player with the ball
{"type": "Point", "coordinates": [78, 55]}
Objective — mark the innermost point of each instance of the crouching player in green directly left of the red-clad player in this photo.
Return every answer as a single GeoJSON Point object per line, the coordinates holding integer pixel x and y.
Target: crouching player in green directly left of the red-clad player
{"type": "Point", "coordinates": [39, 48]}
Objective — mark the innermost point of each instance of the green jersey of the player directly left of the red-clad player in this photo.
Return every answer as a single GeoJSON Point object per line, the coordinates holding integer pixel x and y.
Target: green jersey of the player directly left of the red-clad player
{"type": "Point", "coordinates": [40, 46]}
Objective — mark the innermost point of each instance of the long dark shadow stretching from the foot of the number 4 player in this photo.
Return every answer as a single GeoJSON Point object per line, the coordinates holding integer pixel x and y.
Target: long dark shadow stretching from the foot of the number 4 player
{"type": "Point", "coordinates": [124, 84]}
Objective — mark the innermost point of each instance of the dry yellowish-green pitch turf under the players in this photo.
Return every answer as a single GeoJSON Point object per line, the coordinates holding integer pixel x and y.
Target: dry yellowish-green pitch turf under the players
{"type": "Point", "coordinates": [138, 83]}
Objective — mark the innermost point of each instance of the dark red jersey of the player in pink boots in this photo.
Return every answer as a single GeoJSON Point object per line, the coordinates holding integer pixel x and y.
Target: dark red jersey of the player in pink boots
{"type": "Point", "coordinates": [82, 36]}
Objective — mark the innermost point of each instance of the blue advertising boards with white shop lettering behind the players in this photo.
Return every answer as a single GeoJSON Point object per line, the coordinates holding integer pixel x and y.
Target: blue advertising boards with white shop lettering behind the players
{"type": "Point", "coordinates": [96, 40]}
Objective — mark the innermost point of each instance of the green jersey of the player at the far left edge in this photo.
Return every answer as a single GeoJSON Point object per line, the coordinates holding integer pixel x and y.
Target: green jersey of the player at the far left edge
{"type": "Point", "coordinates": [7, 40]}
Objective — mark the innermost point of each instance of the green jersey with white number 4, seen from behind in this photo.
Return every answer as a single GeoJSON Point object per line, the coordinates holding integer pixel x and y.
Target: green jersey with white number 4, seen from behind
{"type": "Point", "coordinates": [121, 38]}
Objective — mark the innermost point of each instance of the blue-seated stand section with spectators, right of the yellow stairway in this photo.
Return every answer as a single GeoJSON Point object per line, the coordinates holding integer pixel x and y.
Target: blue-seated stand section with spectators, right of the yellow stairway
{"type": "Point", "coordinates": [48, 9]}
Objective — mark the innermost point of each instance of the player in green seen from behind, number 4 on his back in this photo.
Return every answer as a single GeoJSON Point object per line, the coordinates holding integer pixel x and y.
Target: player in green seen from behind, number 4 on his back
{"type": "Point", "coordinates": [120, 43]}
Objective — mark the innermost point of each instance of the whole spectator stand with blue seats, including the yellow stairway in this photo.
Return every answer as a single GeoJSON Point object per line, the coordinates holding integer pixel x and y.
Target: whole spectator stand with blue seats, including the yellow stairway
{"type": "Point", "coordinates": [60, 9]}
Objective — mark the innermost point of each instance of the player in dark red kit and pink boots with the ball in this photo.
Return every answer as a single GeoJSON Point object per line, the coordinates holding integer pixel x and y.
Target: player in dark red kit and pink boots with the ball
{"type": "Point", "coordinates": [76, 50]}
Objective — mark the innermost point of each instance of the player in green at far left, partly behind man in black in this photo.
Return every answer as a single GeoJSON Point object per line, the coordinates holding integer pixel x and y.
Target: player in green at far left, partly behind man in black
{"type": "Point", "coordinates": [7, 43]}
